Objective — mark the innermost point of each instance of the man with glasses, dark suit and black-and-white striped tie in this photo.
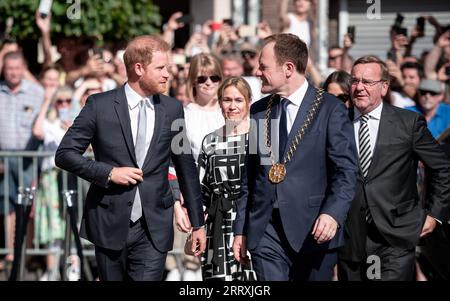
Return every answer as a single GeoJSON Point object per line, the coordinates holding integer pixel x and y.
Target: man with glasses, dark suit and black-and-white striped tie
{"type": "Point", "coordinates": [386, 219]}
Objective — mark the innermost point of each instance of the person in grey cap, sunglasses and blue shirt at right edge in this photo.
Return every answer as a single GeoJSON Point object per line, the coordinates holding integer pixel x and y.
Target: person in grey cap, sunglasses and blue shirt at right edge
{"type": "Point", "coordinates": [432, 107]}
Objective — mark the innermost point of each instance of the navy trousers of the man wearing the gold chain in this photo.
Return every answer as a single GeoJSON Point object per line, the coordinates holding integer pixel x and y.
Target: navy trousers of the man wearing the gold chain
{"type": "Point", "coordinates": [275, 260]}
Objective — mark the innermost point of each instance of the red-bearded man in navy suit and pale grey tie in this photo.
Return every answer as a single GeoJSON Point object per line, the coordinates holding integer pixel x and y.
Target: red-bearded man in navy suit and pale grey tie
{"type": "Point", "coordinates": [128, 211]}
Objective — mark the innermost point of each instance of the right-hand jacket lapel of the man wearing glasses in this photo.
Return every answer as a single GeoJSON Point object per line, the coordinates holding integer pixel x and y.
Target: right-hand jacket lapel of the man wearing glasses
{"type": "Point", "coordinates": [385, 127]}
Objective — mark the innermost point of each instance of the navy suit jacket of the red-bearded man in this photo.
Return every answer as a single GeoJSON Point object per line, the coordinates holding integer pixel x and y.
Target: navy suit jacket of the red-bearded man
{"type": "Point", "coordinates": [105, 123]}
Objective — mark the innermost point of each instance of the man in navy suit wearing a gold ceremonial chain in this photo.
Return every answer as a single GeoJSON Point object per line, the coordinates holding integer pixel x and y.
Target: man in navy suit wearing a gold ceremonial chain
{"type": "Point", "coordinates": [295, 198]}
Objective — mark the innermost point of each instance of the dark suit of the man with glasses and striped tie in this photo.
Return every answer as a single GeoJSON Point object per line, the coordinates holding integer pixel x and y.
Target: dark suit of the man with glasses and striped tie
{"type": "Point", "coordinates": [390, 191]}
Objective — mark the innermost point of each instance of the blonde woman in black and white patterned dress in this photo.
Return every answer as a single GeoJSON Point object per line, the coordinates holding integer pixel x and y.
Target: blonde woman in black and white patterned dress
{"type": "Point", "coordinates": [221, 160]}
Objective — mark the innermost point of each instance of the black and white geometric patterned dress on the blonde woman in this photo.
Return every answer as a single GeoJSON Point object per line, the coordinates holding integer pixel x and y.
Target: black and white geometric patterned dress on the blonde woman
{"type": "Point", "coordinates": [221, 161]}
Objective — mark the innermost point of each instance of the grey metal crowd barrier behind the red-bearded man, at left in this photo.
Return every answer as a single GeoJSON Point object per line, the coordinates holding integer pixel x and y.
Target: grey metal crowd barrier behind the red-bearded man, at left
{"type": "Point", "coordinates": [72, 197]}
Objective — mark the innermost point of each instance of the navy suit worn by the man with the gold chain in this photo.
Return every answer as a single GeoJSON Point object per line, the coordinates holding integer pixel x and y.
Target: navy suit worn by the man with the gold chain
{"type": "Point", "coordinates": [320, 178]}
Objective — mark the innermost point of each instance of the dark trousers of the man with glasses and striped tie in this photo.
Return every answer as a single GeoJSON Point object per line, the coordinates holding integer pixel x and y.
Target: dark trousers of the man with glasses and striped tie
{"type": "Point", "coordinates": [384, 262]}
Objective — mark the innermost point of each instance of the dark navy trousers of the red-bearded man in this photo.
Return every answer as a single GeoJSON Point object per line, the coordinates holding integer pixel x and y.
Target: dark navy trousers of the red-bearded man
{"type": "Point", "coordinates": [138, 261]}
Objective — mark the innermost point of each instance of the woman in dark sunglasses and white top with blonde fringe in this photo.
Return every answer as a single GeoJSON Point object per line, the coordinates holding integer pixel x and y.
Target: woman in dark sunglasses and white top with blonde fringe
{"type": "Point", "coordinates": [203, 114]}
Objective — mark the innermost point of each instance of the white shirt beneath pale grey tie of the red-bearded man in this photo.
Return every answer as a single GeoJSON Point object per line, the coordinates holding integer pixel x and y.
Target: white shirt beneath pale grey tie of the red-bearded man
{"type": "Point", "coordinates": [133, 99]}
